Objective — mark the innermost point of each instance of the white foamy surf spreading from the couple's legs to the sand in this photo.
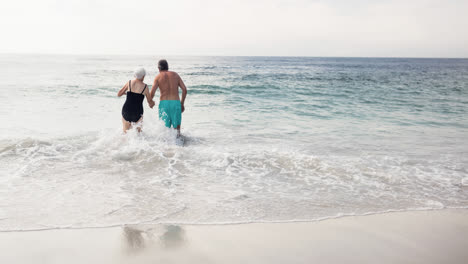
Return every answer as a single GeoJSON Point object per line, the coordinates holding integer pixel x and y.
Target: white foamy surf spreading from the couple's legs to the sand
{"type": "Point", "coordinates": [108, 178]}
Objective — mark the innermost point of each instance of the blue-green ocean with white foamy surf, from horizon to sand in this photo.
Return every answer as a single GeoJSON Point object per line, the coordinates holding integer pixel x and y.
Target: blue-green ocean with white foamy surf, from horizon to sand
{"type": "Point", "coordinates": [268, 139]}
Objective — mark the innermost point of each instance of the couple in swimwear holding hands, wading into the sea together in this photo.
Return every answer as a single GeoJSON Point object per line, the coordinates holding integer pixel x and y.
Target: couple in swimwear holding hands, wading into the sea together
{"type": "Point", "coordinates": [170, 105]}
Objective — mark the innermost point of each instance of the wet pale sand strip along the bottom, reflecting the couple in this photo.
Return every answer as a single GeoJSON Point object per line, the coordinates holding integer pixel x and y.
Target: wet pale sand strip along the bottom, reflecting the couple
{"type": "Point", "coordinates": [401, 237]}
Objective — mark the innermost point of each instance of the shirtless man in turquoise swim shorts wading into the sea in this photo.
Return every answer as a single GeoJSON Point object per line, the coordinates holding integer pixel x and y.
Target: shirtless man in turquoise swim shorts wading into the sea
{"type": "Point", "coordinates": [170, 105]}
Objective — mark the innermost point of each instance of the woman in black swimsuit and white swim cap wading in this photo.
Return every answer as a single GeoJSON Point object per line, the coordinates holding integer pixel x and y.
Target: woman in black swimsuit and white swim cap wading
{"type": "Point", "coordinates": [132, 110]}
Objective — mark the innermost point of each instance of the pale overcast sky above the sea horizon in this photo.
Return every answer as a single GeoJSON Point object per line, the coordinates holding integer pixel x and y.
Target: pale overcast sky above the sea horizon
{"type": "Point", "coordinates": [379, 28]}
